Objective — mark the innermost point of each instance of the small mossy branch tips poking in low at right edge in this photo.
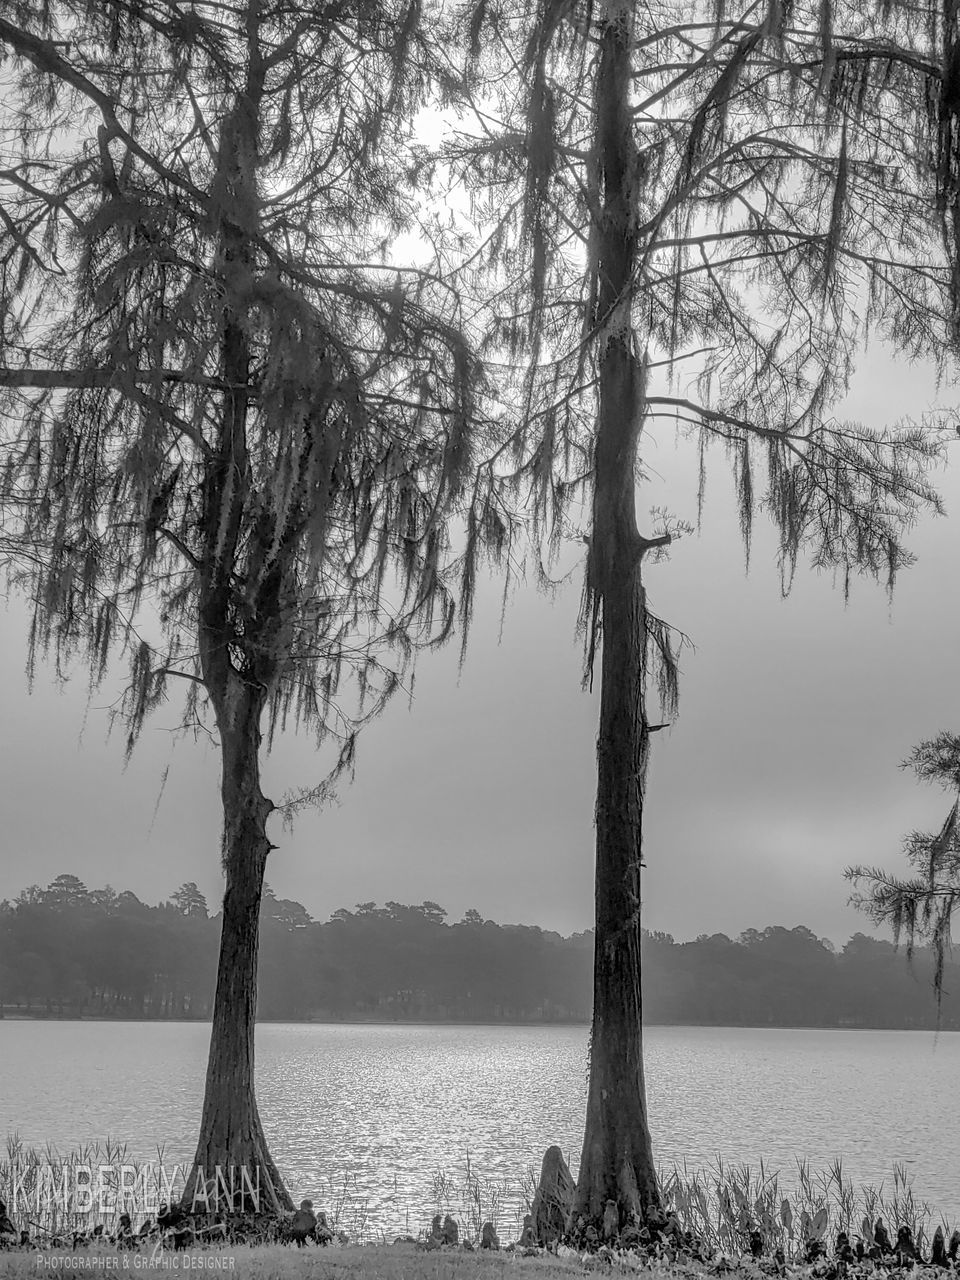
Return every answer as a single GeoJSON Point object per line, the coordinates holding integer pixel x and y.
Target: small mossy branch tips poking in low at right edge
{"type": "Point", "coordinates": [922, 907]}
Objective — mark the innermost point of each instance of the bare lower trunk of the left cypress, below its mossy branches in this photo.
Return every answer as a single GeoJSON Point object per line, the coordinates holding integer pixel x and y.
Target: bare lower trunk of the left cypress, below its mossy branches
{"type": "Point", "coordinates": [232, 1154]}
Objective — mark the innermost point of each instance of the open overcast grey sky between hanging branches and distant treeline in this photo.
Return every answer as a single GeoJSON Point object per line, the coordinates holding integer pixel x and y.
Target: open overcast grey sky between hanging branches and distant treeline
{"type": "Point", "coordinates": [781, 770]}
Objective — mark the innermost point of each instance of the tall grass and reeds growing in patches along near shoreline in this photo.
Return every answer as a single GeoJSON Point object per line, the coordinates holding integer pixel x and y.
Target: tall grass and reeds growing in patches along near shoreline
{"type": "Point", "coordinates": [720, 1206]}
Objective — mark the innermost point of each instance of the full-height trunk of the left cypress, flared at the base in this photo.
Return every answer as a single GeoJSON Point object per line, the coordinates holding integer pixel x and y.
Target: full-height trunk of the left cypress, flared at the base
{"type": "Point", "coordinates": [239, 676]}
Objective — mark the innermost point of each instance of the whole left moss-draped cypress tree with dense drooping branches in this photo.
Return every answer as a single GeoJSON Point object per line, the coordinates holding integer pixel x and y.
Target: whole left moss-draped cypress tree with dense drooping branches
{"type": "Point", "coordinates": [234, 435]}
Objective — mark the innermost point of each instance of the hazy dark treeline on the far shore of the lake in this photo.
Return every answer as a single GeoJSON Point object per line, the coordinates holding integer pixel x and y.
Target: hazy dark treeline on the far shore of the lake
{"type": "Point", "coordinates": [67, 952]}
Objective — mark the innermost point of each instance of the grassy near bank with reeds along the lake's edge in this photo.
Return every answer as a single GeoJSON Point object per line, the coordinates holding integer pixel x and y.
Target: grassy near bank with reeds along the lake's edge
{"type": "Point", "coordinates": [720, 1208]}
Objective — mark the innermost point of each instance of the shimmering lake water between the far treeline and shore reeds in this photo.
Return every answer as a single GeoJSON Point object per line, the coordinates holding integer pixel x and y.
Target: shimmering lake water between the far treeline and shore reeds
{"type": "Point", "coordinates": [381, 1110]}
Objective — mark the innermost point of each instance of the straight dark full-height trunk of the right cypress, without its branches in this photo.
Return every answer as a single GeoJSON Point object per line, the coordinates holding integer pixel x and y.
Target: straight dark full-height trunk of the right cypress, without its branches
{"type": "Point", "coordinates": [618, 1159]}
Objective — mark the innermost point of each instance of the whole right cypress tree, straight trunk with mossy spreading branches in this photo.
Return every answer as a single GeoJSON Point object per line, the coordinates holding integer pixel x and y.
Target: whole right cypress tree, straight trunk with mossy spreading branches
{"type": "Point", "coordinates": [703, 221]}
